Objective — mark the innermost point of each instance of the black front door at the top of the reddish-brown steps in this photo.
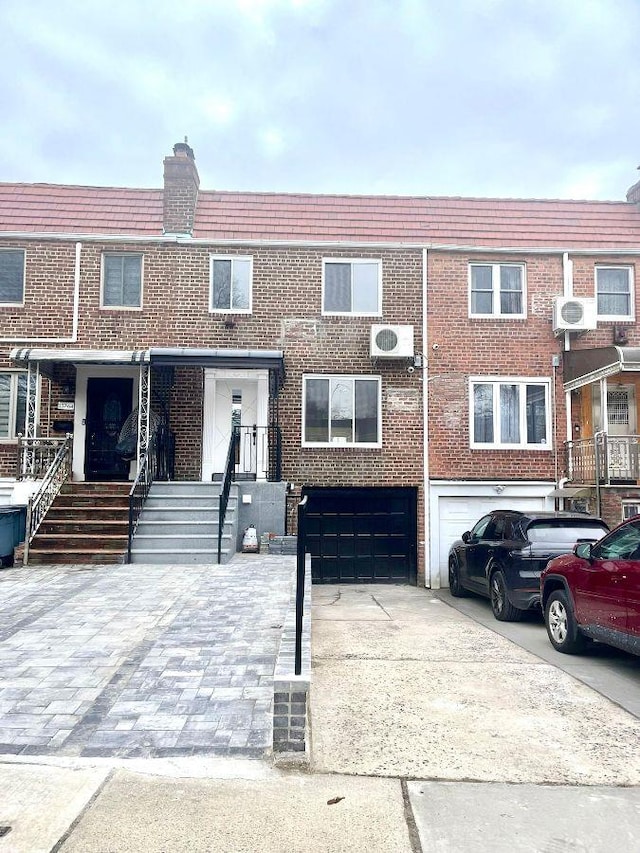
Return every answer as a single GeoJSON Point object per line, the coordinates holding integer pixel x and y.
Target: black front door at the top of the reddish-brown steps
{"type": "Point", "coordinates": [109, 402]}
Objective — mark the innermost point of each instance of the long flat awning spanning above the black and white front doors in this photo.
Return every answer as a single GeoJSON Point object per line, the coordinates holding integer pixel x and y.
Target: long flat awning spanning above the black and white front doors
{"type": "Point", "coordinates": [272, 360]}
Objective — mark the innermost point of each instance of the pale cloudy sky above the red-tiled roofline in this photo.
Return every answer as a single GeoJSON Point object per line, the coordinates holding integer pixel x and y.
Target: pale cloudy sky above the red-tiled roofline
{"type": "Point", "coordinates": [490, 98]}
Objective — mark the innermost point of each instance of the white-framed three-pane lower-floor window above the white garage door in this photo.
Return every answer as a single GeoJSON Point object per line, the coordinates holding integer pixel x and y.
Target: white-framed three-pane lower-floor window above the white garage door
{"type": "Point", "coordinates": [510, 413]}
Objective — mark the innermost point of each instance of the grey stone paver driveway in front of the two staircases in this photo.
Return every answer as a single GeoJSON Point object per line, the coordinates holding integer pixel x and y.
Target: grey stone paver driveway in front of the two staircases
{"type": "Point", "coordinates": [141, 660]}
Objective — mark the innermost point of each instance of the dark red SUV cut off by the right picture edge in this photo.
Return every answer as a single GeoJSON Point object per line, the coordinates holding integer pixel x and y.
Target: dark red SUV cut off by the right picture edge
{"type": "Point", "coordinates": [594, 593]}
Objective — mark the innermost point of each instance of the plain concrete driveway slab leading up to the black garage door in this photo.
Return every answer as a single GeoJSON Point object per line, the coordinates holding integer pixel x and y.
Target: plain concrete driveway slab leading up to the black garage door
{"type": "Point", "coordinates": [405, 685]}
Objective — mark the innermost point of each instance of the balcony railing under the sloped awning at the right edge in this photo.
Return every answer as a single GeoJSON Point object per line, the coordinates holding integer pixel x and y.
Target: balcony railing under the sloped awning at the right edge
{"type": "Point", "coordinates": [603, 459]}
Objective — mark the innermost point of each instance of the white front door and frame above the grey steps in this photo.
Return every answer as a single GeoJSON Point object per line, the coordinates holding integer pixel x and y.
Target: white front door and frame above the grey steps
{"type": "Point", "coordinates": [235, 398]}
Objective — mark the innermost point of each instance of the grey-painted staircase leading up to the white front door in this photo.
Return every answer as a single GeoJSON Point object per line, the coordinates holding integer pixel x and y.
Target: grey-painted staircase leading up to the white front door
{"type": "Point", "coordinates": [179, 524]}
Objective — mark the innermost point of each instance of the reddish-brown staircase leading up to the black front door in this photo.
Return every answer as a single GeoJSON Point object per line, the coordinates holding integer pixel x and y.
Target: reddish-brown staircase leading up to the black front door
{"type": "Point", "coordinates": [87, 523]}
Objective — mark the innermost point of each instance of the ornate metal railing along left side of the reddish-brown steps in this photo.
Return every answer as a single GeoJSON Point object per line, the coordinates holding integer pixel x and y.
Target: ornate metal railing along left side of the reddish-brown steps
{"type": "Point", "coordinates": [57, 474]}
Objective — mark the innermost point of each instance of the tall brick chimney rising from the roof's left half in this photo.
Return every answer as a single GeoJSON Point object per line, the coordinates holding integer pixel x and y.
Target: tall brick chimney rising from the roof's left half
{"type": "Point", "coordinates": [181, 184]}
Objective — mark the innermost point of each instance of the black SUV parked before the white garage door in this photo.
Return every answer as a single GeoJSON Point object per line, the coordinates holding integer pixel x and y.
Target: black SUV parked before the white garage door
{"type": "Point", "coordinates": [503, 555]}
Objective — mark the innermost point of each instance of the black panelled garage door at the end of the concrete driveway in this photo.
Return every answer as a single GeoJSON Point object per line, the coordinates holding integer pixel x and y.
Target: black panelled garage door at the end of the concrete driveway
{"type": "Point", "coordinates": [362, 535]}
